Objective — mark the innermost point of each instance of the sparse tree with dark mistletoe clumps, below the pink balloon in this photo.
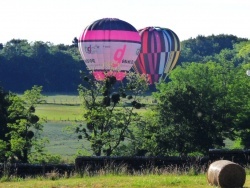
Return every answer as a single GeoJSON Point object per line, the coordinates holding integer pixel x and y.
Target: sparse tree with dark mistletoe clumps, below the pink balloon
{"type": "Point", "coordinates": [109, 111]}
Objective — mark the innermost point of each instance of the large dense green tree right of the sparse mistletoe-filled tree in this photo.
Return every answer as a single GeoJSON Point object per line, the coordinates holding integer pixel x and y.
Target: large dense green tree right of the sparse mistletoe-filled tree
{"type": "Point", "coordinates": [198, 109]}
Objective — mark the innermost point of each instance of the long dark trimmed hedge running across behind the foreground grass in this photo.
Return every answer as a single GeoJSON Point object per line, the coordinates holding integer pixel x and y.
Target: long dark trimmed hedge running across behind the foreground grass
{"type": "Point", "coordinates": [137, 163]}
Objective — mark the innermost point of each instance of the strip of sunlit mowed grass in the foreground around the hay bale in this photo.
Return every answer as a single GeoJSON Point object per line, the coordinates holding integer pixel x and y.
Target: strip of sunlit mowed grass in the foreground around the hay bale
{"type": "Point", "coordinates": [126, 181]}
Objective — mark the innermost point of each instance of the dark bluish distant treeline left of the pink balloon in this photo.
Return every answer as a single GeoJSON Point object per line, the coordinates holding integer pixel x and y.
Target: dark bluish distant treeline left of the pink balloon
{"type": "Point", "coordinates": [55, 67]}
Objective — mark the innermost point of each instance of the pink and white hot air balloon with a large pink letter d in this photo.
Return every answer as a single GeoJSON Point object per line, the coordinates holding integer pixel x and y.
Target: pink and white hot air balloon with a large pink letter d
{"type": "Point", "coordinates": [109, 46]}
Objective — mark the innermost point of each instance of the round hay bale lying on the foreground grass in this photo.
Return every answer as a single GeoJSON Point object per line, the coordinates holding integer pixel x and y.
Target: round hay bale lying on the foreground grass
{"type": "Point", "coordinates": [227, 174]}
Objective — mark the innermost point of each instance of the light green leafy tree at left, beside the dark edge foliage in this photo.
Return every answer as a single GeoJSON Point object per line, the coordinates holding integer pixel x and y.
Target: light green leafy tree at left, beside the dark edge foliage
{"type": "Point", "coordinates": [22, 122]}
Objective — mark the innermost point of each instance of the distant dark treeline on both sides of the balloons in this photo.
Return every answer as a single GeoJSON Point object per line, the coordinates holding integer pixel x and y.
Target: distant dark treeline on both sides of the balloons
{"type": "Point", "coordinates": [56, 67]}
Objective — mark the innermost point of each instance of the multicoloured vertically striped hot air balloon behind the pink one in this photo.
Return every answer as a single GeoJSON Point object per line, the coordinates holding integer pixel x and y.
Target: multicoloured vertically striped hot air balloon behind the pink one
{"type": "Point", "coordinates": [159, 52]}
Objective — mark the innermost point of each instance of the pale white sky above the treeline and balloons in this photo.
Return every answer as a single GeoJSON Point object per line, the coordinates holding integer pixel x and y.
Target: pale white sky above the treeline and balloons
{"type": "Point", "coordinates": [59, 21]}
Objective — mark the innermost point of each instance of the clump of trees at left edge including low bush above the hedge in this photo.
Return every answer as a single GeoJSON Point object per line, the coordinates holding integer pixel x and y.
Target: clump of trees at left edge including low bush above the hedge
{"type": "Point", "coordinates": [20, 128]}
